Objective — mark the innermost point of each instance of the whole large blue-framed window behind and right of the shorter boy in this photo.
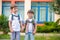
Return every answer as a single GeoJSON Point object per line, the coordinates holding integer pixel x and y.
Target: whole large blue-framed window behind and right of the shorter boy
{"type": "Point", "coordinates": [42, 11]}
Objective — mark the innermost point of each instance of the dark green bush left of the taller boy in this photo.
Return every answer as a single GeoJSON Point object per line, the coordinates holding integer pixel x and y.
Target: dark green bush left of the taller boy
{"type": "Point", "coordinates": [4, 24]}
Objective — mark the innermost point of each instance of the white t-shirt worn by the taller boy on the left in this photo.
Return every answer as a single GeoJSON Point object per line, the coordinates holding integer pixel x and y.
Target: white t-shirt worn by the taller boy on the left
{"type": "Point", "coordinates": [15, 22]}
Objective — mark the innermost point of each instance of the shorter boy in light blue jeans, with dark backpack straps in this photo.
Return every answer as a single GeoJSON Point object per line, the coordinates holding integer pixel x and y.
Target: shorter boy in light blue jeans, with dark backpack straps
{"type": "Point", "coordinates": [30, 25]}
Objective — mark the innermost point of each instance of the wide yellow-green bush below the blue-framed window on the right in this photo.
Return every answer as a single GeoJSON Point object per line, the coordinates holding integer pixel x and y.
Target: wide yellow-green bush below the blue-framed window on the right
{"type": "Point", "coordinates": [49, 27]}
